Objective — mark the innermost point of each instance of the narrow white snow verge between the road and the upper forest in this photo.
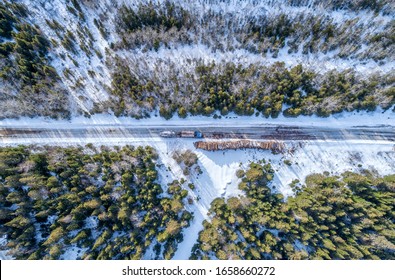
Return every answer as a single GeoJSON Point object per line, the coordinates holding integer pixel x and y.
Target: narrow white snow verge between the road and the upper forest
{"type": "Point", "coordinates": [341, 120]}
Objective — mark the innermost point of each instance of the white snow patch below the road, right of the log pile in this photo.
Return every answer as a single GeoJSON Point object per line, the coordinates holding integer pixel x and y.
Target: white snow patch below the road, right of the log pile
{"type": "Point", "coordinates": [335, 157]}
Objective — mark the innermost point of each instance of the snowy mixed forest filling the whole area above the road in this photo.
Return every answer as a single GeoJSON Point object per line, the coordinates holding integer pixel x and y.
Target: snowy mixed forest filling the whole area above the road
{"type": "Point", "coordinates": [195, 58]}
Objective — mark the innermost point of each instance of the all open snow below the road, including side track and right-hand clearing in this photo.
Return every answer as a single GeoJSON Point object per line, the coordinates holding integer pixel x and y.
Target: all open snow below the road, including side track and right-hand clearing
{"type": "Point", "coordinates": [219, 170]}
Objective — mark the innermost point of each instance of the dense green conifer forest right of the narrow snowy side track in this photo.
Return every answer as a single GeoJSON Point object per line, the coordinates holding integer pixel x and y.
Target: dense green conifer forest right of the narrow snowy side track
{"type": "Point", "coordinates": [332, 217]}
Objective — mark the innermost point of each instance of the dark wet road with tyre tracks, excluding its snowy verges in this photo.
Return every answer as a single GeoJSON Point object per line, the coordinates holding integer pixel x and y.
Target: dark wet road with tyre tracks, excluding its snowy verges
{"type": "Point", "coordinates": [127, 134]}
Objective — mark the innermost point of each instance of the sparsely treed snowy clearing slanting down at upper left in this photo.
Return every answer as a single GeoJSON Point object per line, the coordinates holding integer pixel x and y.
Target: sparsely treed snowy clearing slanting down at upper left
{"type": "Point", "coordinates": [93, 89]}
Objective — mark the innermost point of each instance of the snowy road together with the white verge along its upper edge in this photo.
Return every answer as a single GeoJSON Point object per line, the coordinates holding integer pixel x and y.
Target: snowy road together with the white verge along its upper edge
{"type": "Point", "coordinates": [107, 129]}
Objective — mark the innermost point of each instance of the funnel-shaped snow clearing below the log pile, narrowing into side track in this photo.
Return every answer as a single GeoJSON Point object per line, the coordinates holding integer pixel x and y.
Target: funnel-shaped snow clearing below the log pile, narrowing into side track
{"type": "Point", "coordinates": [218, 179]}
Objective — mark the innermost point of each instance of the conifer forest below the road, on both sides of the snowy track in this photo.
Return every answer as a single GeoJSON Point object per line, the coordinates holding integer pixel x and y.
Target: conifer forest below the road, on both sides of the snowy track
{"type": "Point", "coordinates": [86, 203]}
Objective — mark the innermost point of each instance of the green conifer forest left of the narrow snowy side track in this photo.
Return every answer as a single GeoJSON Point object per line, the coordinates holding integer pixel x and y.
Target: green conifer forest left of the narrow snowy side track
{"type": "Point", "coordinates": [106, 203]}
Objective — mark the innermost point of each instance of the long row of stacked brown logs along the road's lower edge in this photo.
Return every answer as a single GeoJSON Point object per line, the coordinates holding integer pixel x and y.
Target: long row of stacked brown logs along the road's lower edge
{"type": "Point", "coordinates": [274, 146]}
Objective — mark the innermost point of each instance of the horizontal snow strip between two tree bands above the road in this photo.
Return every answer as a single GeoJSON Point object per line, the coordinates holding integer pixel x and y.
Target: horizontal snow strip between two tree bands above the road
{"type": "Point", "coordinates": [185, 57]}
